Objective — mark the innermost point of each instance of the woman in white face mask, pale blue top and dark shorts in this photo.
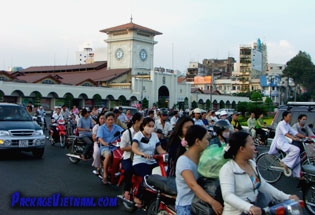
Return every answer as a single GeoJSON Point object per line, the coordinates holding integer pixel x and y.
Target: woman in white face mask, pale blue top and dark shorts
{"type": "Point", "coordinates": [144, 144]}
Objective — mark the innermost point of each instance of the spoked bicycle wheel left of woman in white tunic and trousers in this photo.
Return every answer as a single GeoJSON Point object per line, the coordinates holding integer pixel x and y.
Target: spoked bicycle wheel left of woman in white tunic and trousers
{"type": "Point", "coordinates": [264, 162]}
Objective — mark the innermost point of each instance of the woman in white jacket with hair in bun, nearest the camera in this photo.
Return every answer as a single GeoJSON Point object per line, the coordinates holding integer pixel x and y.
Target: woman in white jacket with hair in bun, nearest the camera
{"type": "Point", "coordinates": [243, 190]}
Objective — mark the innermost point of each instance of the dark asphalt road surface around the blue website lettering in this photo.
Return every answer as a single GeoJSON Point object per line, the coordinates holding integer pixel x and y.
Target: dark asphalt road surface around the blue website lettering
{"type": "Point", "coordinates": [55, 174]}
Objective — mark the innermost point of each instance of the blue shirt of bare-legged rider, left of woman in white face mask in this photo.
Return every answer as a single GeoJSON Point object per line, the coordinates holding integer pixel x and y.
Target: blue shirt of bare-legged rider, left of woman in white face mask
{"type": "Point", "coordinates": [108, 136]}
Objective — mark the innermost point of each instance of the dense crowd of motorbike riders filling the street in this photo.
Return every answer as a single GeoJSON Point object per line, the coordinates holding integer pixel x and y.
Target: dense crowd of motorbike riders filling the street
{"type": "Point", "coordinates": [211, 157]}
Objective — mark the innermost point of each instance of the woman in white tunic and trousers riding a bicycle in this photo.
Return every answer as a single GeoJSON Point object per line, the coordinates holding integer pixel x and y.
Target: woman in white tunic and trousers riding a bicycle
{"type": "Point", "coordinates": [280, 142]}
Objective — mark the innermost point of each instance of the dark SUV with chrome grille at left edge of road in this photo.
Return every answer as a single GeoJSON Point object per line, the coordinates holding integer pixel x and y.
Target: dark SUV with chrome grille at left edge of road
{"type": "Point", "coordinates": [18, 130]}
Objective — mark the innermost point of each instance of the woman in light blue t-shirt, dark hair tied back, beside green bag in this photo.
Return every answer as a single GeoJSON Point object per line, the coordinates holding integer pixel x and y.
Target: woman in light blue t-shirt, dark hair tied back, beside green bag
{"type": "Point", "coordinates": [197, 138]}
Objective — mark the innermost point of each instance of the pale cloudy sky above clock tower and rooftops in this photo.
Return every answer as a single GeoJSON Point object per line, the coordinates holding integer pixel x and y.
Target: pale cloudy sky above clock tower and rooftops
{"type": "Point", "coordinates": [49, 32]}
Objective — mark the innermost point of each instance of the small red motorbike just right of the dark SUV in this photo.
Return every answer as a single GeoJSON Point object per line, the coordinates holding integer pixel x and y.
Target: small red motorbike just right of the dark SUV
{"type": "Point", "coordinates": [59, 135]}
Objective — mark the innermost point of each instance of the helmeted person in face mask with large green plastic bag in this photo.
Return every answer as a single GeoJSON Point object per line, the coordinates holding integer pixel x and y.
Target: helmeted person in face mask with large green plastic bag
{"type": "Point", "coordinates": [210, 163]}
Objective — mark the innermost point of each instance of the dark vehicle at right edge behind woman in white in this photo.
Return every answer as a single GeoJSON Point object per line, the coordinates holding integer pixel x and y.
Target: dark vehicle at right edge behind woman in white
{"type": "Point", "coordinates": [296, 108]}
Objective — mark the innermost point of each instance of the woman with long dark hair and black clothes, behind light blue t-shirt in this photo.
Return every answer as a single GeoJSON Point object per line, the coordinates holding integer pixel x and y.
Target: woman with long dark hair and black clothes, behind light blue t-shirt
{"type": "Point", "coordinates": [177, 144]}
